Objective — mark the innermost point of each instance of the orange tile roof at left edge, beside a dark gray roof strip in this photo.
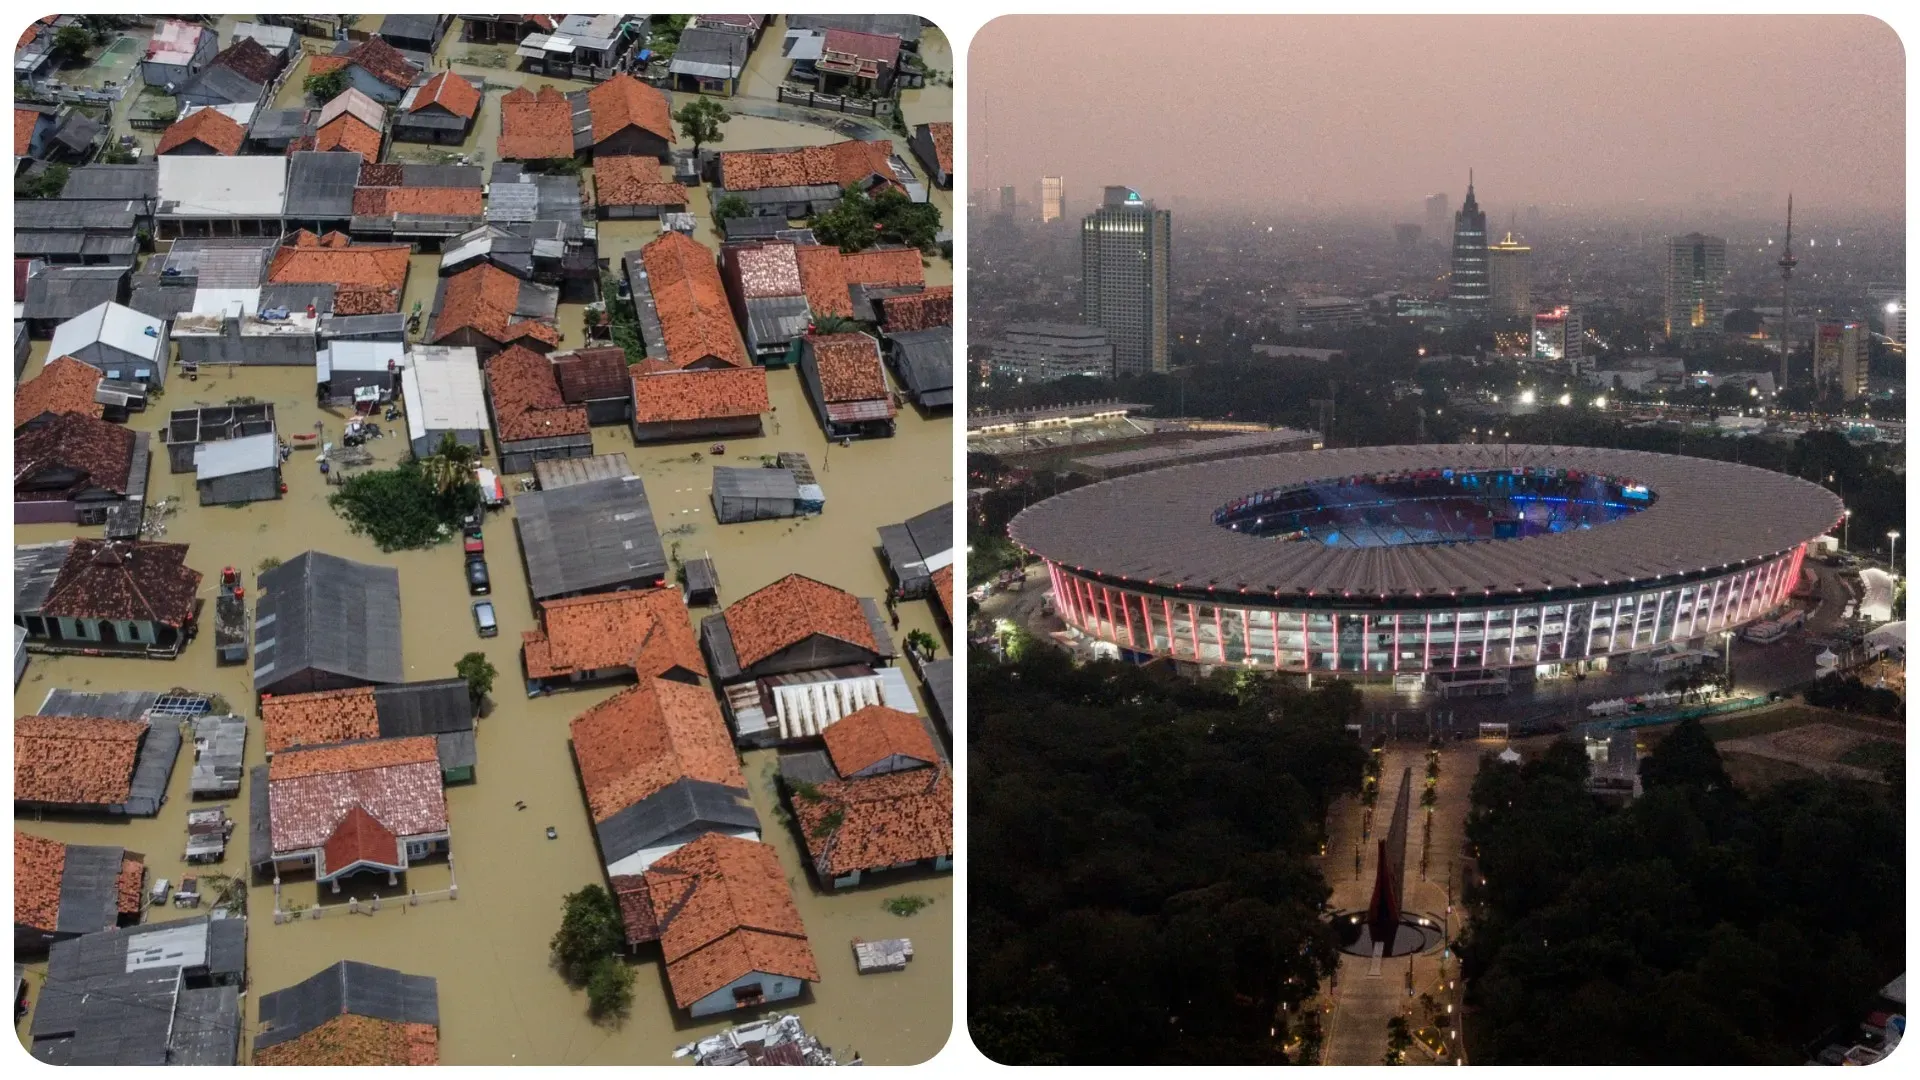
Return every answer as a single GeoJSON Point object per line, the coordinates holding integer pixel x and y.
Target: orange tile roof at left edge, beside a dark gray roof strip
{"type": "Point", "coordinates": [76, 760]}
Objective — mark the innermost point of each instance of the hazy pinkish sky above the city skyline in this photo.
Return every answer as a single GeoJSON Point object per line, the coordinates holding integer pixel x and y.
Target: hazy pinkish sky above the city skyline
{"type": "Point", "coordinates": [1380, 110]}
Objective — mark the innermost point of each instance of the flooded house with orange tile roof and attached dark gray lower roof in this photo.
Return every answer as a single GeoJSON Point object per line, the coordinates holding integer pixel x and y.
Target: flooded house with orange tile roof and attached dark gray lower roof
{"type": "Point", "coordinates": [660, 772]}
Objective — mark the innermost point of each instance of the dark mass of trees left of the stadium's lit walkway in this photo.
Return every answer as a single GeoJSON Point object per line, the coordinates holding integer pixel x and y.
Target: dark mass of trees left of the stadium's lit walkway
{"type": "Point", "coordinates": [1145, 881]}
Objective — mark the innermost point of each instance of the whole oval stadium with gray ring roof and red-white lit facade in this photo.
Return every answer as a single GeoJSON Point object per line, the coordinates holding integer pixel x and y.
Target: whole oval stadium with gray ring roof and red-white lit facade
{"type": "Point", "coordinates": [1449, 562]}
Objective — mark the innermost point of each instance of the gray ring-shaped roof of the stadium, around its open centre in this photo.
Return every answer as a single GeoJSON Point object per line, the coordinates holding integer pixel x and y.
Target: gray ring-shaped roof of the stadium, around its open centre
{"type": "Point", "coordinates": [1159, 528]}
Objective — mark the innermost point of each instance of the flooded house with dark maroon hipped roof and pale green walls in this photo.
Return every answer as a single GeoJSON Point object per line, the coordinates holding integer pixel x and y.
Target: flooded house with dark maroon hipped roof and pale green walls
{"type": "Point", "coordinates": [107, 597]}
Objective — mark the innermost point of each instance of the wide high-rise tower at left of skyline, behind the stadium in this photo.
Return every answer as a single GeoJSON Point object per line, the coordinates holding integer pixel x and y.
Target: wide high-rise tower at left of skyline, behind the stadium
{"type": "Point", "coordinates": [1126, 266]}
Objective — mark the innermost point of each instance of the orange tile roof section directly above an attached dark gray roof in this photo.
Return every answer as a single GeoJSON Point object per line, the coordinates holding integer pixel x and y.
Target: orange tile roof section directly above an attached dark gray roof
{"type": "Point", "coordinates": [642, 741]}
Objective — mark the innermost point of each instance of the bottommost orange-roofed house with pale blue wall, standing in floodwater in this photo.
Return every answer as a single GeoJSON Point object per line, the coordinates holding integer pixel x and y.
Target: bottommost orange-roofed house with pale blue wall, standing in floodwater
{"type": "Point", "coordinates": [729, 929]}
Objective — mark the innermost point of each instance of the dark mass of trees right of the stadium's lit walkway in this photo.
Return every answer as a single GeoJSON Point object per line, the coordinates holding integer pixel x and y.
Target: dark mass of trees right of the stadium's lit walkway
{"type": "Point", "coordinates": [1694, 927]}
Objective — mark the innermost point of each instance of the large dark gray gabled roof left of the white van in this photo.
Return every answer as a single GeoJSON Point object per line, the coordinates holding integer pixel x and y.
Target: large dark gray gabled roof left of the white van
{"type": "Point", "coordinates": [327, 614]}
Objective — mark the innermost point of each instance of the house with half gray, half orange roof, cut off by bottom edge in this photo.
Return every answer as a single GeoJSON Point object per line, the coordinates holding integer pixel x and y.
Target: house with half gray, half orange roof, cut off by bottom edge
{"type": "Point", "coordinates": [352, 1014]}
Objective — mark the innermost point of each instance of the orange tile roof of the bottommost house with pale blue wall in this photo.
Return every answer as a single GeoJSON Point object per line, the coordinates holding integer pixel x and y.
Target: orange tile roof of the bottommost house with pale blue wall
{"type": "Point", "coordinates": [725, 910]}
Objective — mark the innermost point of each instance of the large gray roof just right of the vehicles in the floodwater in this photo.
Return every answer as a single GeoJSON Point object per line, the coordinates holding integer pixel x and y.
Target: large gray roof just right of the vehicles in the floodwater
{"type": "Point", "coordinates": [588, 537]}
